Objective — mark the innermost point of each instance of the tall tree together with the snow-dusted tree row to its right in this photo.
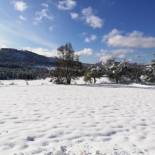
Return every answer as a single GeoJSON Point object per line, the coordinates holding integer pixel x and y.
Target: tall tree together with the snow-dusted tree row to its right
{"type": "Point", "coordinates": [70, 68]}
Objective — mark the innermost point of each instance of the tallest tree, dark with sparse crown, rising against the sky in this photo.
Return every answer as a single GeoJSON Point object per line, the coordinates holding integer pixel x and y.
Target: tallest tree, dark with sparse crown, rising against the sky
{"type": "Point", "coordinates": [68, 66]}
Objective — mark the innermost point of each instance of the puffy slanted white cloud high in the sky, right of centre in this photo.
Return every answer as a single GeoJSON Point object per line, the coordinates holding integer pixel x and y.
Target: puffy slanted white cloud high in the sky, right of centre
{"type": "Point", "coordinates": [91, 19]}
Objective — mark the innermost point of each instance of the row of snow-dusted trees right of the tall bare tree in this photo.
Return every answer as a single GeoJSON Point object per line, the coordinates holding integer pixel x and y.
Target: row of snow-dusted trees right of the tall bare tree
{"type": "Point", "coordinates": [122, 72]}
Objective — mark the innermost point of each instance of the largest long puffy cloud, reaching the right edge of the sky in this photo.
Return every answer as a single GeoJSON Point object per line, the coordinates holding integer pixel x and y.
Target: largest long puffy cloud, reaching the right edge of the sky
{"type": "Point", "coordinates": [134, 39]}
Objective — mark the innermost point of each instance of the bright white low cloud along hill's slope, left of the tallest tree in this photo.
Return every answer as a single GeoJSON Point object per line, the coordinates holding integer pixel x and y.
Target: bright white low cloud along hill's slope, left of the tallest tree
{"type": "Point", "coordinates": [43, 51]}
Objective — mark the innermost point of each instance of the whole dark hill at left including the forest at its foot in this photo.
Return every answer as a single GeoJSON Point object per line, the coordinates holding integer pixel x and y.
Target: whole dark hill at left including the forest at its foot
{"type": "Point", "coordinates": [22, 64]}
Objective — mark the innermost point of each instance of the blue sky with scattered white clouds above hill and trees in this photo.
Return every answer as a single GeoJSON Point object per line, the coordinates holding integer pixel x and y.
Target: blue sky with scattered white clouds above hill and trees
{"type": "Point", "coordinates": [98, 29]}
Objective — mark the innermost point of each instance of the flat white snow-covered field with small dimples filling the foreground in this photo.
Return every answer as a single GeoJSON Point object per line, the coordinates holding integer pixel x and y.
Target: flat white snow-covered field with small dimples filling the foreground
{"type": "Point", "coordinates": [38, 117]}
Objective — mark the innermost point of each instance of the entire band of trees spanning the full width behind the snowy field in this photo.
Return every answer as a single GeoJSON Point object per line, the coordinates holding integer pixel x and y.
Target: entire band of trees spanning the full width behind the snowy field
{"type": "Point", "coordinates": [68, 67]}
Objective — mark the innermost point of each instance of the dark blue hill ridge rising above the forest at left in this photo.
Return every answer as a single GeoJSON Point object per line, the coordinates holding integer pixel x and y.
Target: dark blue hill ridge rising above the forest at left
{"type": "Point", "coordinates": [9, 56]}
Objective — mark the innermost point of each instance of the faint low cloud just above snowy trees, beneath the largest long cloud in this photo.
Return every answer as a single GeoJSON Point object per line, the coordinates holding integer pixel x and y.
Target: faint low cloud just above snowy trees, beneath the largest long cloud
{"type": "Point", "coordinates": [106, 55]}
